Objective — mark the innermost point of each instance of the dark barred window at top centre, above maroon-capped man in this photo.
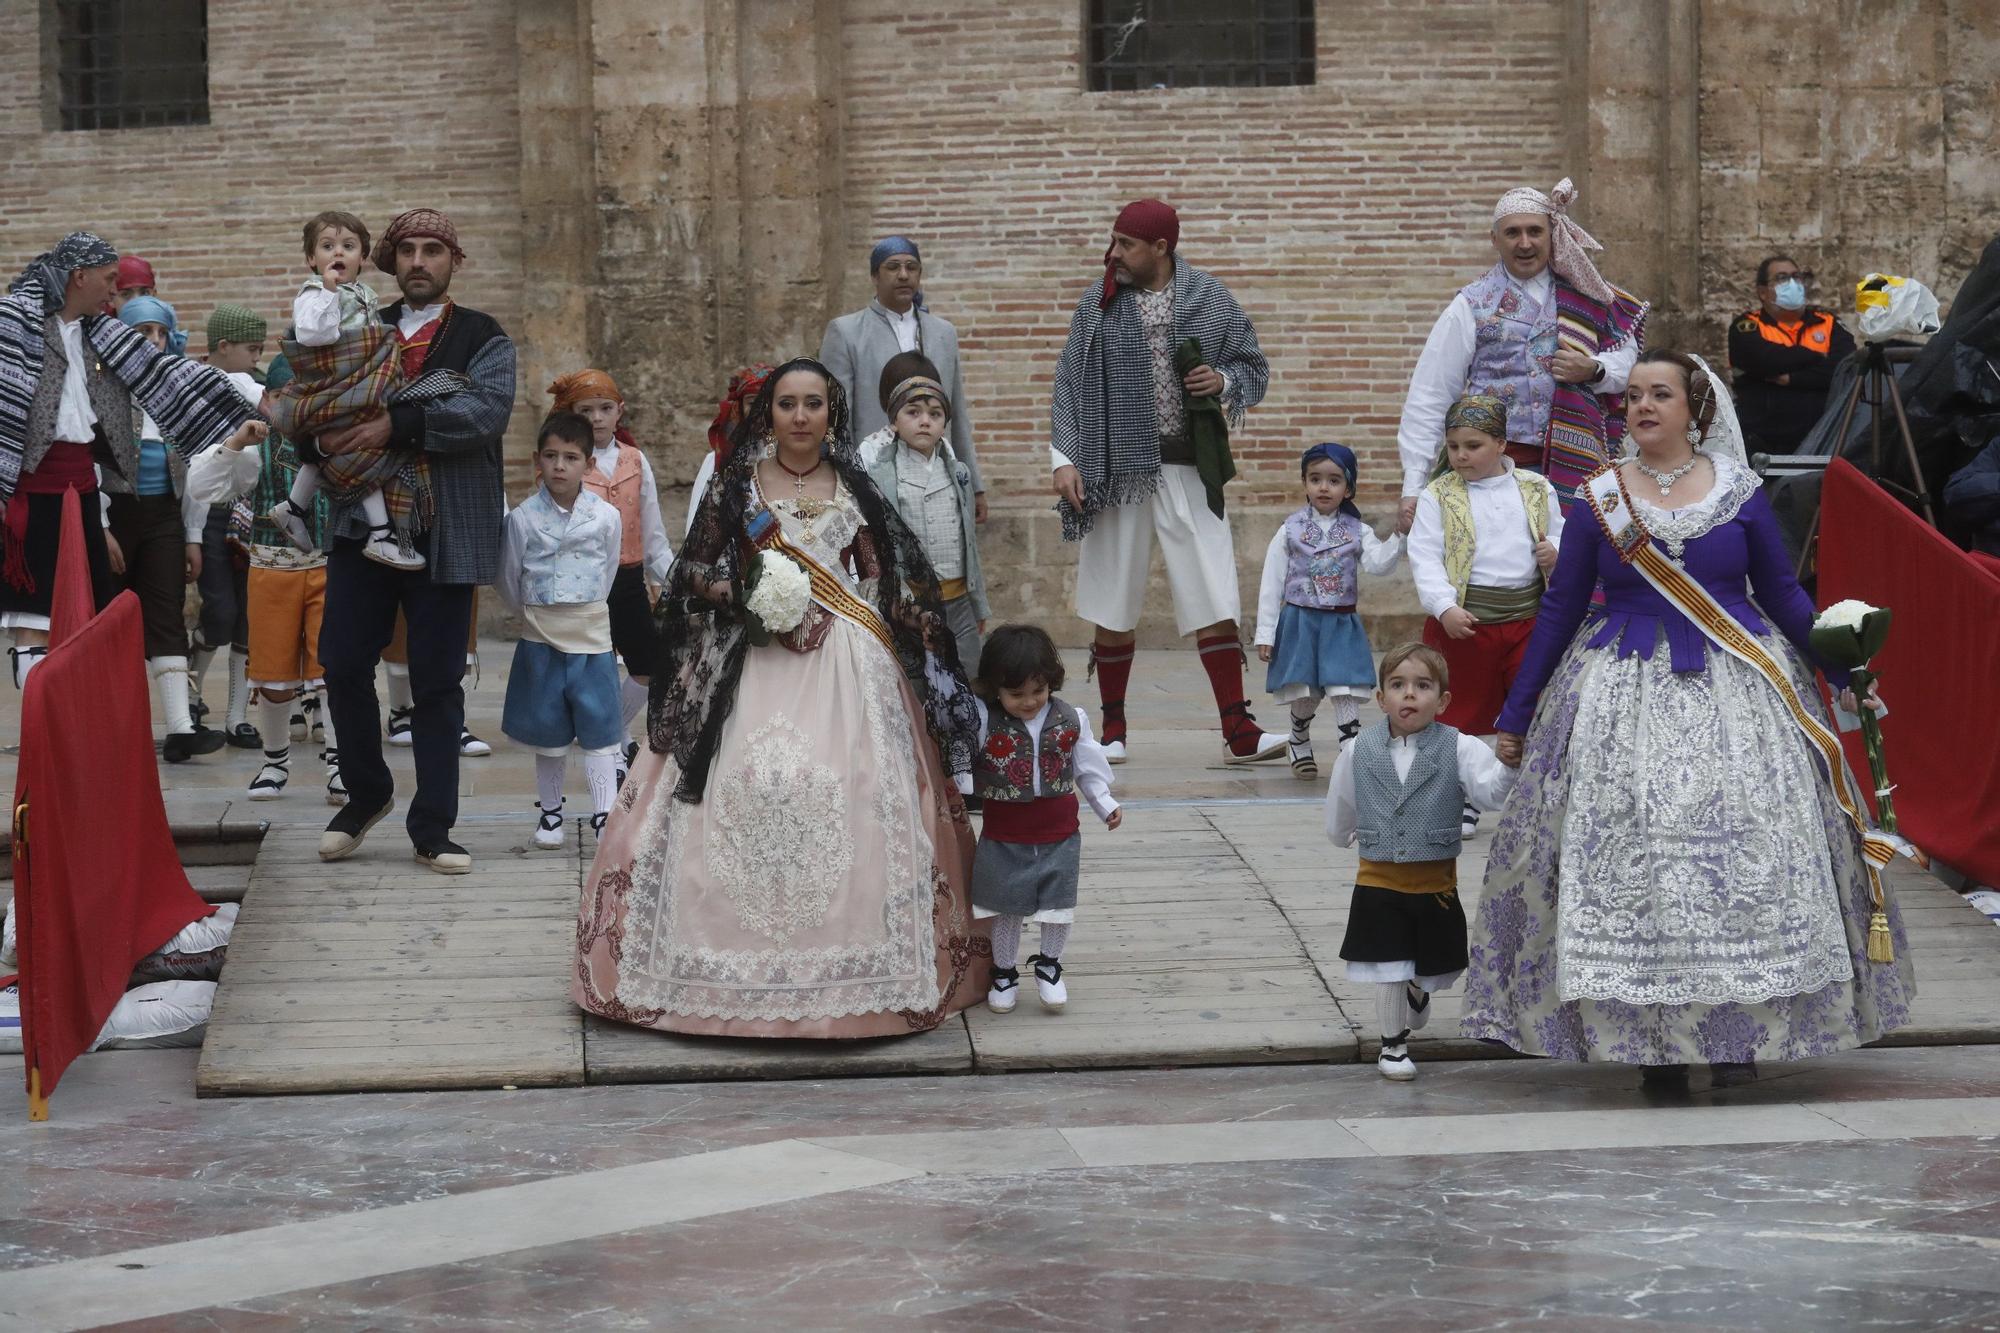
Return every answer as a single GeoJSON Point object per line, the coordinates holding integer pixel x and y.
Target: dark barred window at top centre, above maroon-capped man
{"type": "Point", "coordinates": [1199, 45]}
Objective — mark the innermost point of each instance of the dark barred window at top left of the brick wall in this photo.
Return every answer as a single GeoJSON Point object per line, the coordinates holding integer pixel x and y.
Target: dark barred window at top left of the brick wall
{"type": "Point", "coordinates": [125, 65]}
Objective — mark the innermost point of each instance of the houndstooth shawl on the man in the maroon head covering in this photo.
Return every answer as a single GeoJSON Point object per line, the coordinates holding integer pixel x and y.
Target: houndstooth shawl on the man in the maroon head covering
{"type": "Point", "coordinates": [1103, 417]}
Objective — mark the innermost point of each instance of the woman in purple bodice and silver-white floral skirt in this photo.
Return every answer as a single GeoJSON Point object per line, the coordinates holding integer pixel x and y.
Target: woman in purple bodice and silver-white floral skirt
{"type": "Point", "coordinates": [1675, 880]}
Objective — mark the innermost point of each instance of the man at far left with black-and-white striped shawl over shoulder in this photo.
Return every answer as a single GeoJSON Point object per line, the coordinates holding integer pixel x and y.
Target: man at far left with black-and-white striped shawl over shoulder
{"type": "Point", "coordinates": [73, 383]}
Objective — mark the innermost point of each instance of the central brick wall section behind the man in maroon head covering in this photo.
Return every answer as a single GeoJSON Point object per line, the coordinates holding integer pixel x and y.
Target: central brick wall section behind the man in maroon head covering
{"type": "Point", "coordinates": [1341, 215]}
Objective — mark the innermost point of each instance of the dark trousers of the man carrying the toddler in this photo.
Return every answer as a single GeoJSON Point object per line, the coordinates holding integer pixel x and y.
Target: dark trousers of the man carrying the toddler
{"type": "Point", "coordinates": [361, 617]}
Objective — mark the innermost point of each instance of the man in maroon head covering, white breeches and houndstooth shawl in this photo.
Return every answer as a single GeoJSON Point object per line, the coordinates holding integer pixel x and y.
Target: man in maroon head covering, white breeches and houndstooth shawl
{"type": "Point", "coordinates": [1125, 463]}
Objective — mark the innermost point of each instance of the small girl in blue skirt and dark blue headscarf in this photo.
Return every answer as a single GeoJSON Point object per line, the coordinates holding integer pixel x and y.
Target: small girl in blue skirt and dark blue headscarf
{"type": "Point", "coordinates": [1305, 611]}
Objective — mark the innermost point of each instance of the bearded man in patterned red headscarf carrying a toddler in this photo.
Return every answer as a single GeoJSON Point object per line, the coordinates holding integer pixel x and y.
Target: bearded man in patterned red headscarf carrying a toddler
{"type": "Point", "coordinates": [459, 433]}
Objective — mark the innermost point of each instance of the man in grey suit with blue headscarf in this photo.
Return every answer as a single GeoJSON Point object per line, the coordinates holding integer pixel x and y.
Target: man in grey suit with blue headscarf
{"type": "Point", "coordinates": [859, 345]}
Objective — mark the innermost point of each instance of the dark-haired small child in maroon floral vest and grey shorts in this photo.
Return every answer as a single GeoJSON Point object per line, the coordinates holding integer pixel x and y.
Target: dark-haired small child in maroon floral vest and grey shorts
{"type": "Point", "coordinates": [1035, 756]}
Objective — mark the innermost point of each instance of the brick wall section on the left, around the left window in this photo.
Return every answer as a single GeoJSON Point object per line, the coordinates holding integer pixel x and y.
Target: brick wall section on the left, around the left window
{"type": "Point", "coordinates": [423, 113]}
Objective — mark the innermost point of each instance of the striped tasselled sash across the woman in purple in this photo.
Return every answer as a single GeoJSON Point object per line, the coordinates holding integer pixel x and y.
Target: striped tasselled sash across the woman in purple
{"type": "Point", "coordinates": [1629, 537]}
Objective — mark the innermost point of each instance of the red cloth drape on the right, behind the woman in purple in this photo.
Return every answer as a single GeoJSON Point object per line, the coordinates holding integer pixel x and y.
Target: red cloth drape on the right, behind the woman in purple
{"type": "Point", "coordinates": [1939, 670]}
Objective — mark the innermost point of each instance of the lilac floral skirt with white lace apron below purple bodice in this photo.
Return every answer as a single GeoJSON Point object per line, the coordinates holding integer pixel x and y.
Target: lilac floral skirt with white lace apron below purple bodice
{"type": "Point", "coordinates": [1673, 882]}
